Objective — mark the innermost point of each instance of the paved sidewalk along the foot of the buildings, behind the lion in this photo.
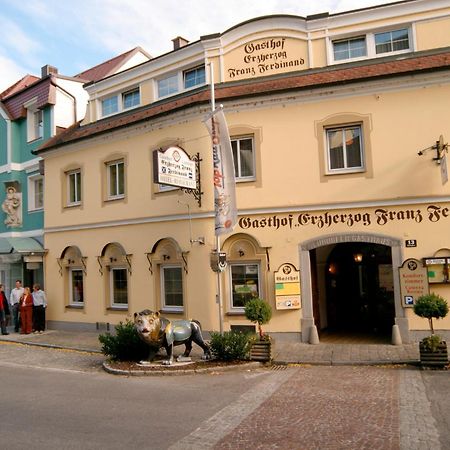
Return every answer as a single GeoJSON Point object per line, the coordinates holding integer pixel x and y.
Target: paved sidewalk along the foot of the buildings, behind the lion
{"type": "Point", "coordinates": [283, 352]}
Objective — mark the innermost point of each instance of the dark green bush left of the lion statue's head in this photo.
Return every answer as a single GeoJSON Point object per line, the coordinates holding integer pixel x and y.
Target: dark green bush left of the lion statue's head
{"type": "Point", "coordinates": [125, 345]}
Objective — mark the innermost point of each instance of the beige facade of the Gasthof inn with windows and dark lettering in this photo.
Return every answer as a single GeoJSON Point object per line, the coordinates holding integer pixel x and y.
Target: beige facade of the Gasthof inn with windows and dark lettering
{"type": "Point", "coordinates": [326, 134]}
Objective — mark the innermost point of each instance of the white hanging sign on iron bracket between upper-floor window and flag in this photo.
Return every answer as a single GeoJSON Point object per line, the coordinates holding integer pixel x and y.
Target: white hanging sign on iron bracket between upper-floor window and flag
{"type": "Point", "coordinates": [174, 168]}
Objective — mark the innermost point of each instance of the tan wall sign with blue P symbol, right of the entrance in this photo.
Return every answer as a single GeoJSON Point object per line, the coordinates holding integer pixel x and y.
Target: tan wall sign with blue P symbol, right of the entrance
{"type": "Point", "coordinates": [413, 281]}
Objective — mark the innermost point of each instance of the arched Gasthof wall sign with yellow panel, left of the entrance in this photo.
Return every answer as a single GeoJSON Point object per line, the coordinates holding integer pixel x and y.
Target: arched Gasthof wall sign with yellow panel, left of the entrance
{"type": "Point", "coordinates": [287, 287]}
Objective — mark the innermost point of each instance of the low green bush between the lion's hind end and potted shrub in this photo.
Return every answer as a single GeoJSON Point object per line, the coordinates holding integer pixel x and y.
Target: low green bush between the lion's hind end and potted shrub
{"type": "Point", "coordinates": [231, 346]}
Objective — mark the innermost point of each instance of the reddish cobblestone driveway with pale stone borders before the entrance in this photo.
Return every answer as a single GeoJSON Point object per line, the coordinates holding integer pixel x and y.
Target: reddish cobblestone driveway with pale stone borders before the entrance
{"type": "Point", "coordinates": [327, 408]}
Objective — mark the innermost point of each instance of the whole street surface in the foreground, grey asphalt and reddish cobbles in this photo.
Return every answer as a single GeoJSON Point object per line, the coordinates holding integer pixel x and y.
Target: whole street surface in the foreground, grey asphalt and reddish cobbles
{"type": "Point", "coordinates": [62, 399]}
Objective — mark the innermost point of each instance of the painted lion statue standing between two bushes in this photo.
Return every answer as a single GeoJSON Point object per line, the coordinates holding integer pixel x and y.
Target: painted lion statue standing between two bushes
{"type": "Point", "coordinates": [159, 332]}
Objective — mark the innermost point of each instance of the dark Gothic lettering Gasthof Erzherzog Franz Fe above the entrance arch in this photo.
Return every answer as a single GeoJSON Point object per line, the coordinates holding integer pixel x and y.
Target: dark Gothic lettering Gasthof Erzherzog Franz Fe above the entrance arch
{"type": "Point", "coordinates": [327, 219]}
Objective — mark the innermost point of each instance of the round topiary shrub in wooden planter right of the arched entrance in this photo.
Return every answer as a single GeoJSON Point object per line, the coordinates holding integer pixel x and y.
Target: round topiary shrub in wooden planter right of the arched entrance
{"type": "Point", "coordinates": [433, 350]}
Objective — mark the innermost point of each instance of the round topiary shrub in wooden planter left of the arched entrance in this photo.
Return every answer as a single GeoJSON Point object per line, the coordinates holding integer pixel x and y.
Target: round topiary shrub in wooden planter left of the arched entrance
{"type": "Point", "coordinates": [258, 311]}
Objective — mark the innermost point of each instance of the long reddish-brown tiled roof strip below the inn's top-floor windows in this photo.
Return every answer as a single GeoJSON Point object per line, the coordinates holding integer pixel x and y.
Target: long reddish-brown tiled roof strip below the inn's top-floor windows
{"type": "Point", "coordinates": [307, 79]}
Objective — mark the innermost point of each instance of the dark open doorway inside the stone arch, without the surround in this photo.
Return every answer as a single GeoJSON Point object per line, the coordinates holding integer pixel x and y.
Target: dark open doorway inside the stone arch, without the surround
{"type": "Point", "coordinates": [356, 295]}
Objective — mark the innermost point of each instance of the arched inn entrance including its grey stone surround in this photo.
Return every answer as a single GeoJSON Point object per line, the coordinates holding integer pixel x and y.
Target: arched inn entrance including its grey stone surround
{"type": "Point", "coordinates": [350, 286]}
